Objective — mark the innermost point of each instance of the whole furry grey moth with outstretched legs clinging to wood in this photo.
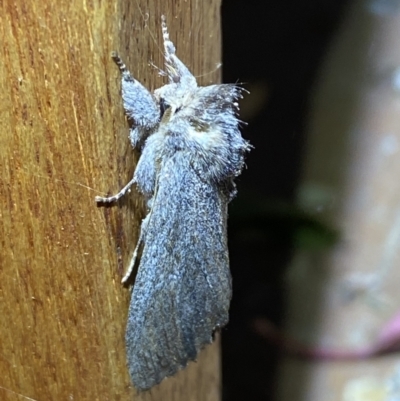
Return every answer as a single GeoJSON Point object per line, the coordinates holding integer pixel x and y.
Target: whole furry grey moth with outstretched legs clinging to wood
{"type": "Point", "coordinates": [191, 152]}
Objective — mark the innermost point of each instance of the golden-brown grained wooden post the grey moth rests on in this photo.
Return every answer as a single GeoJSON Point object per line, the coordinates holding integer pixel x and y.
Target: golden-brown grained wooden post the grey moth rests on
{"type": "Point", "coordinates": [64, 139]}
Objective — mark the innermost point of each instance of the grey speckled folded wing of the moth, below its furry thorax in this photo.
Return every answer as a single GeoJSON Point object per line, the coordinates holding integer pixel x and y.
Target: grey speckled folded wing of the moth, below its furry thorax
{"type": "Point", "coordinates": [183, 286]}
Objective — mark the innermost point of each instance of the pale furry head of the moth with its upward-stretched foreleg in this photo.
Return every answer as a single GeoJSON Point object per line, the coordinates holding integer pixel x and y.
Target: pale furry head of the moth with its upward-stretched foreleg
{"type": "Point", "coordinates": [191, 111]}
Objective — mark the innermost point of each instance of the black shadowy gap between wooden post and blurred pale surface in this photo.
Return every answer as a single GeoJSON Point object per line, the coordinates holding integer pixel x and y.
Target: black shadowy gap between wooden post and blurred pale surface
{"type": "Point", "coordinates": [275, 48]}
